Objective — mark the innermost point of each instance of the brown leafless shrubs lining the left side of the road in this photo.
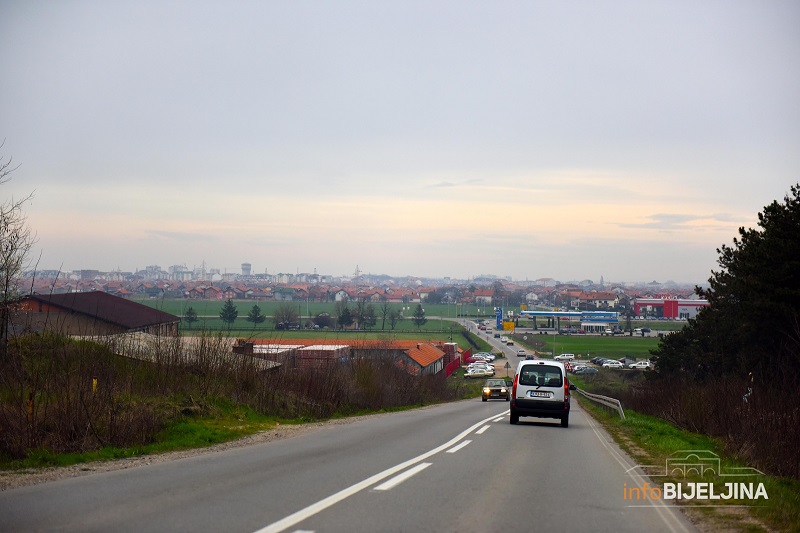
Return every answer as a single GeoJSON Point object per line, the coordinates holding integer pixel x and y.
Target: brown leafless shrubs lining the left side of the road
{"type": "Point", "coordinates": [68, 395]}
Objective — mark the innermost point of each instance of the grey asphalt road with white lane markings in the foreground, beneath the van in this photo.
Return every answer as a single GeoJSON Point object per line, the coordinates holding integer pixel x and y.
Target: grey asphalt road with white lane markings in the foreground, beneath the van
{"type": "Point", "coordinates": [453, 467]}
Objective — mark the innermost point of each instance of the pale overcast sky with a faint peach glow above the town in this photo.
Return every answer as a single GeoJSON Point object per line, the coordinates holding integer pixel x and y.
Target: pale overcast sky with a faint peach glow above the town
{"type": "Point", "coordinates": [531, 139]}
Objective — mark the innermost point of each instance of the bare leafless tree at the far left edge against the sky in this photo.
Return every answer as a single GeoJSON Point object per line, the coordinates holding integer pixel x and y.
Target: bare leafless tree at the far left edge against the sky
{"type": "Point", "coordinates": [16, 241]}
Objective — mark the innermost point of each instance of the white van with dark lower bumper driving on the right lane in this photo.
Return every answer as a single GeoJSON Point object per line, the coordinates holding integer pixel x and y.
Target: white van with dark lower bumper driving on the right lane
{"type": "Point", "coordinates": [542, 389]}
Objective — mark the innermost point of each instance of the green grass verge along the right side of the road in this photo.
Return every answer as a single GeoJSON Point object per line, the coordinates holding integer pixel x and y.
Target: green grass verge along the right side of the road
{"type": "Point", "coordinates": [650, 441]}
